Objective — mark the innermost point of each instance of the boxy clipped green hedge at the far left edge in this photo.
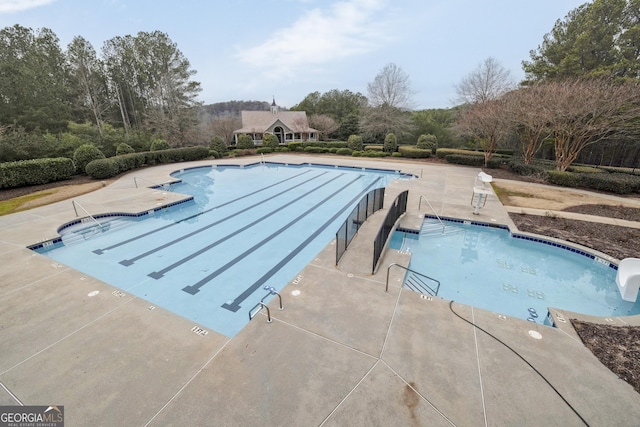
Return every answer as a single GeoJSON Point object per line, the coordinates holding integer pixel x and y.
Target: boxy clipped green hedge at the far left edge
{"type": "Point", "coordinates": [36, 171]}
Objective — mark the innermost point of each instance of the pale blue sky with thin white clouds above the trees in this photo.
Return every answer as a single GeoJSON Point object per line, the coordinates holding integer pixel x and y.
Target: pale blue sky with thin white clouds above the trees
{"type": "Point", "coordinates": [260, 49]}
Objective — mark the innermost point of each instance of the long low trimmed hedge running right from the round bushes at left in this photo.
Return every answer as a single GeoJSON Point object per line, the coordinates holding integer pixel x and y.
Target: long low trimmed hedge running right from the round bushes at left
{"type": "Point", "coordinates": [112, 166]}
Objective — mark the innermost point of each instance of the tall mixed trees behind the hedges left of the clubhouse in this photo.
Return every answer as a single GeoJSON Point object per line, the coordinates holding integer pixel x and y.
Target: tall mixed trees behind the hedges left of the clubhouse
{"type": "Point", "coordinates": [136, 88]}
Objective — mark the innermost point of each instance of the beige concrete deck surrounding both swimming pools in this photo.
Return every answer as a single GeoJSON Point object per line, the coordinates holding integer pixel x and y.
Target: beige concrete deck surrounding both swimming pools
{"type": "Point", "coordinates": [342, 352]}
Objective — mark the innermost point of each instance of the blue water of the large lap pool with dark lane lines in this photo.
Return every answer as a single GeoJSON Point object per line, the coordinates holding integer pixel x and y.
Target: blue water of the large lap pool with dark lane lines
{"type": "Point", "coordinates": [211, 258]}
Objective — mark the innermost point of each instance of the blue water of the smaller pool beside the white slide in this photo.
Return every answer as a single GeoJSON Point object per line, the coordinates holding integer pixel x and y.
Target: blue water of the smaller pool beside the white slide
{"type": "Point", "coordinates": [487, 268]}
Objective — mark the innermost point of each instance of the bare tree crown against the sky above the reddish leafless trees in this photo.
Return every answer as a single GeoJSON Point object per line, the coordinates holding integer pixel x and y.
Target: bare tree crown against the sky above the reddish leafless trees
{"type": "Point", "coordinates": [489, 81]}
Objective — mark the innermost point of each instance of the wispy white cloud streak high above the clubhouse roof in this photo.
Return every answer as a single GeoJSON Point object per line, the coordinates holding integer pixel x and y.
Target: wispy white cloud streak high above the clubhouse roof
{"type": "Point", "coordinates": [320, 36]}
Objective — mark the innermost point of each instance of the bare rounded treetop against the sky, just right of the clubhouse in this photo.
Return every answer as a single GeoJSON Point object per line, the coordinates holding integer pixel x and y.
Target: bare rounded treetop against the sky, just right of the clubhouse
{"type": "Point", "coordinates": [391, 87]}
